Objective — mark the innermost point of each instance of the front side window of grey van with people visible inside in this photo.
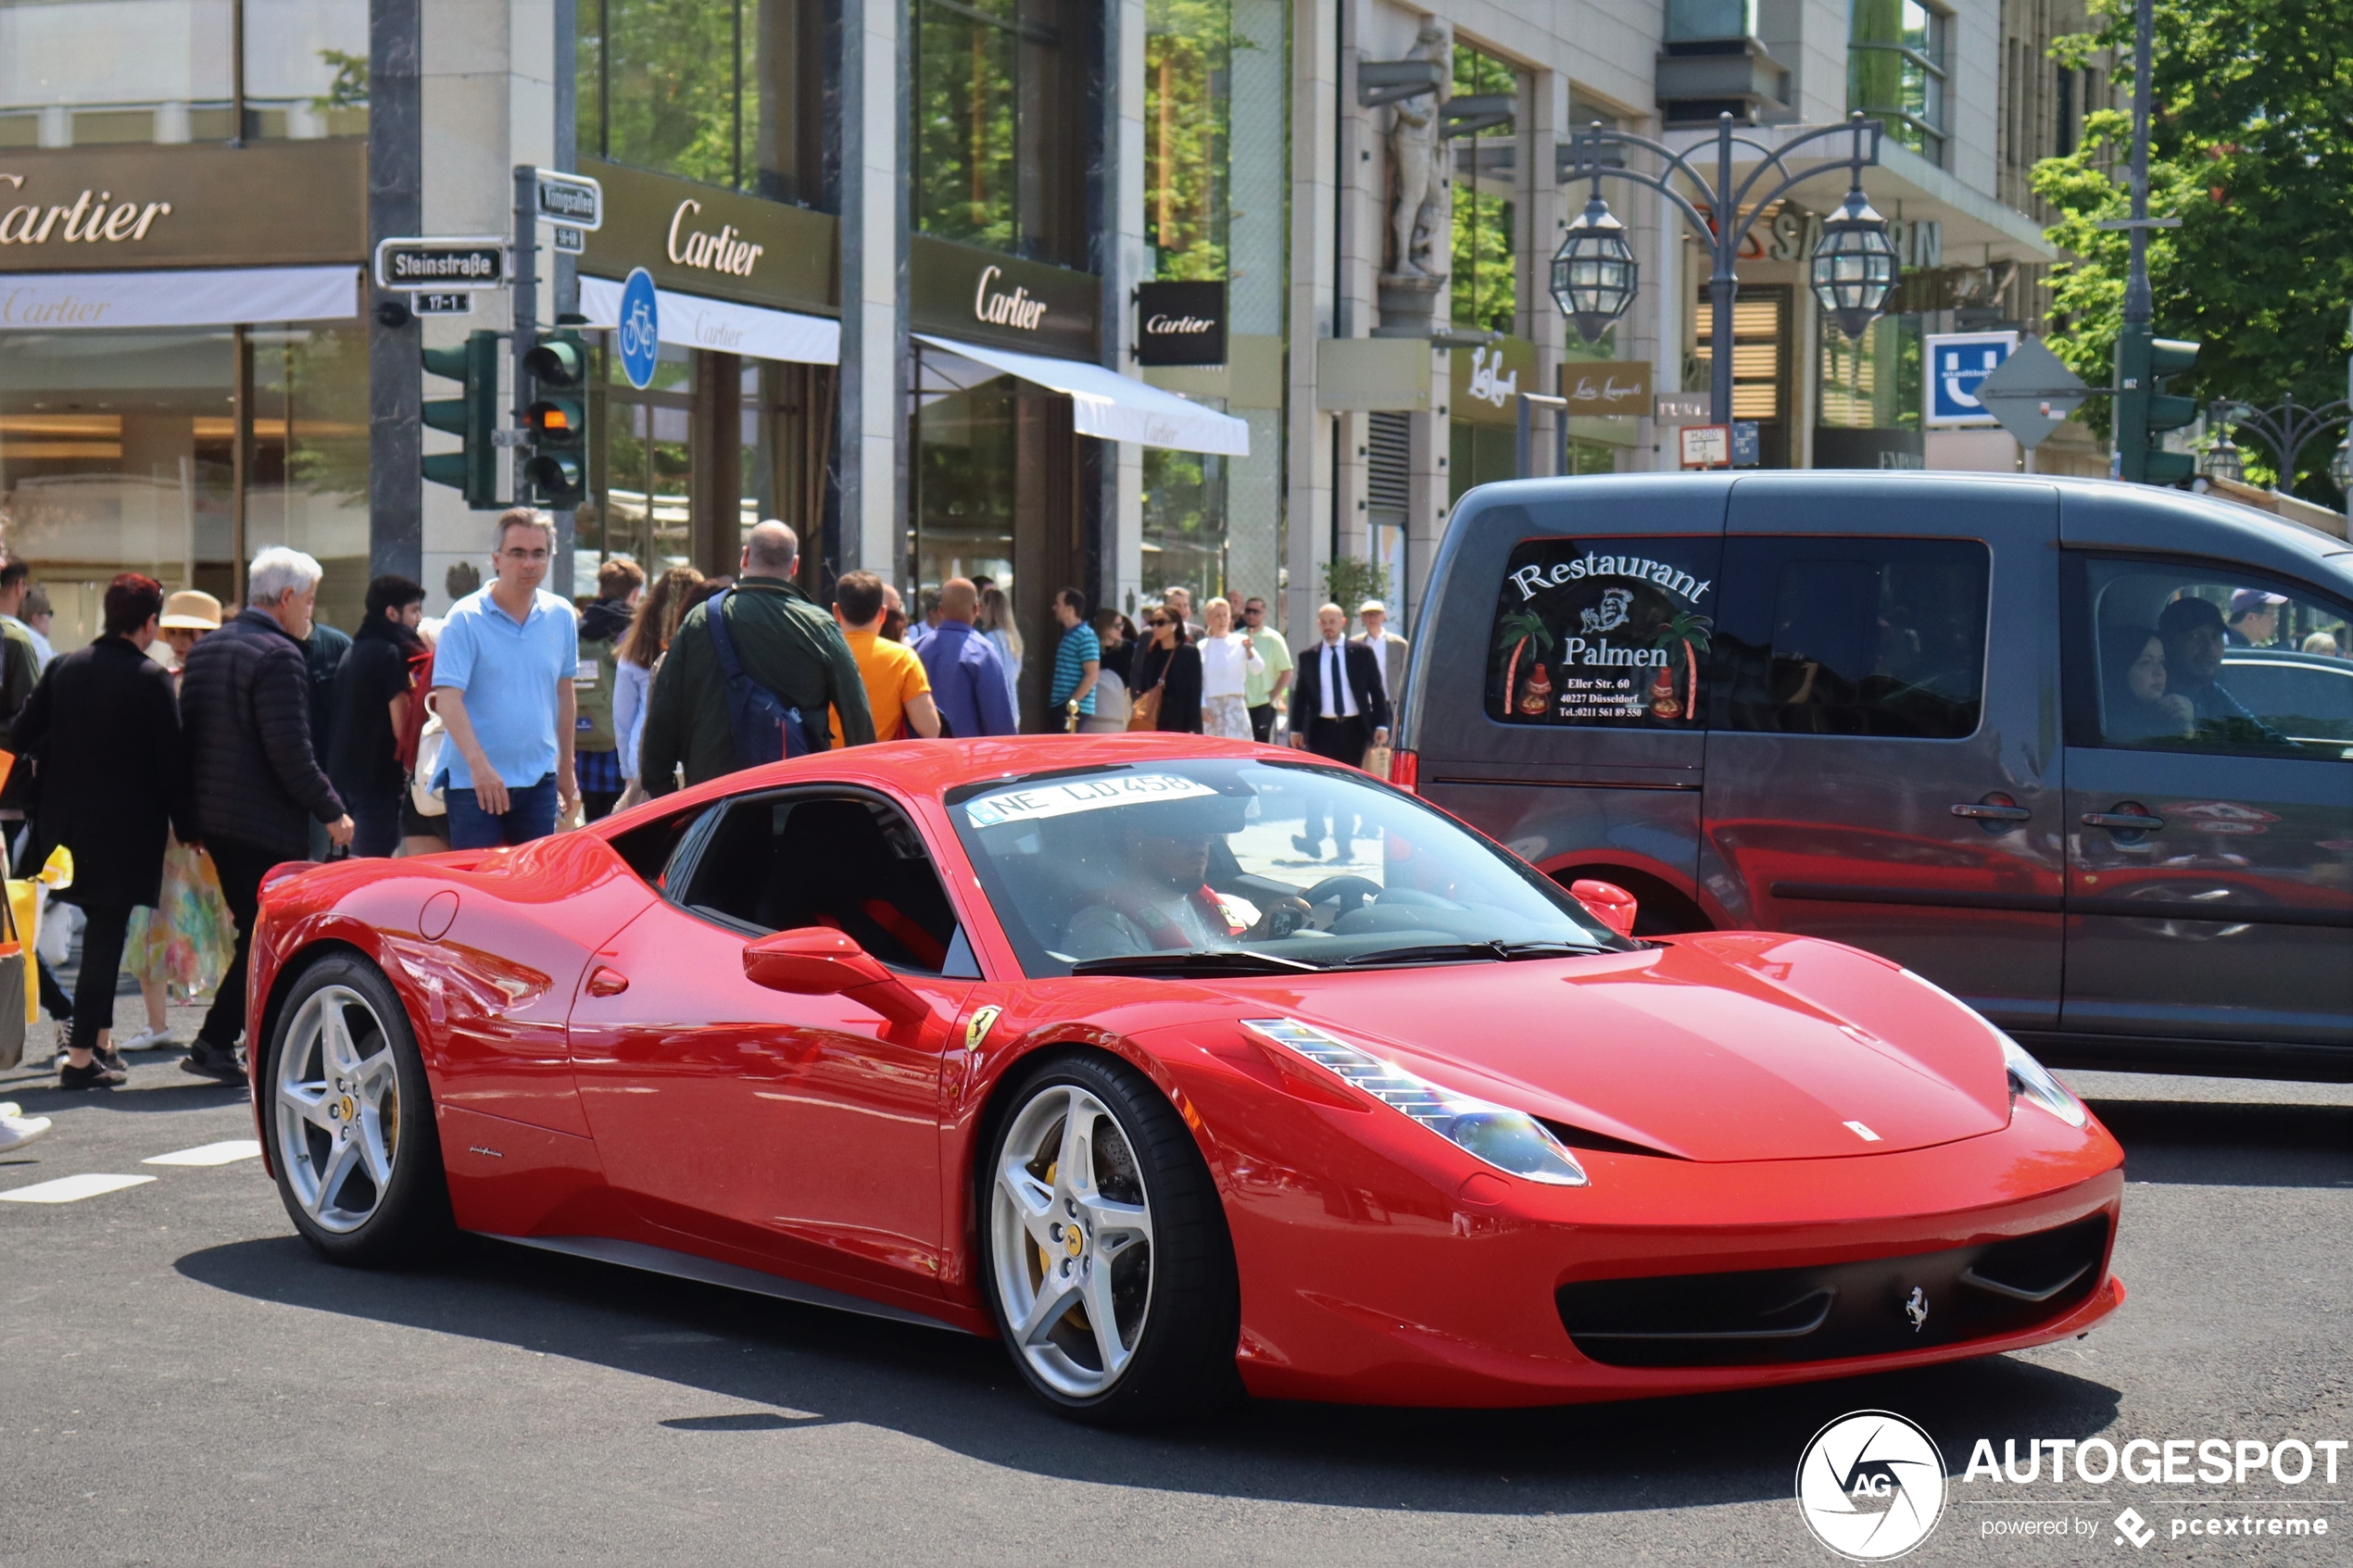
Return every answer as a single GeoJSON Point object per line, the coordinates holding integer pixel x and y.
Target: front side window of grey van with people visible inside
{"type": "Point", "coordinates": [2208, 659]}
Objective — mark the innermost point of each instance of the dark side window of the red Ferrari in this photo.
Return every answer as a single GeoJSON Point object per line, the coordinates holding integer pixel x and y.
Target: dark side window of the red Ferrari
{"type": "Point", "coordinates": [844, 862]}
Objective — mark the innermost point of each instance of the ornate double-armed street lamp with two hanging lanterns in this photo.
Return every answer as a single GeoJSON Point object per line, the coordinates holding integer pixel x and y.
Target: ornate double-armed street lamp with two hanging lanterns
{"type": "Point", "coordinates": [1853, 272]}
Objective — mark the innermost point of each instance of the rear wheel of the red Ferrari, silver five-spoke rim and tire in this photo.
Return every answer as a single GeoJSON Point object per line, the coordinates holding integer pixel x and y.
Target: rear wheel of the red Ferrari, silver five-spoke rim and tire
{"type": "Point", "coordinates": [352, 1219]}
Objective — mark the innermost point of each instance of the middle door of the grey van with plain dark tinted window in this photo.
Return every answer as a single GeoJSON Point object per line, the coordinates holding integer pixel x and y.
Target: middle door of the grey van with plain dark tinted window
{"type": "Point", "coordinates": [1884, 753]}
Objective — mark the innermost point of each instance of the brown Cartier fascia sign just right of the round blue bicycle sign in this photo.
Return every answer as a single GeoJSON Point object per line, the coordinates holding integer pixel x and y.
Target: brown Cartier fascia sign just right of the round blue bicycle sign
{"type": "Point", "coordinates": [707, 241]}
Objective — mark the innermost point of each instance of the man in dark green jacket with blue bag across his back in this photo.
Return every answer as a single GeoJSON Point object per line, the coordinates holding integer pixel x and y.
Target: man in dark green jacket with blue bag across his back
{"type": "Point", "coordinates": [782, 641]}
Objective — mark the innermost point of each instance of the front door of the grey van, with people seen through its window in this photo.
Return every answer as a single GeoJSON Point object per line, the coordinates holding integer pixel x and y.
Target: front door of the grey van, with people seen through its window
{"type": "Point", "coordinates": [2211, 805]}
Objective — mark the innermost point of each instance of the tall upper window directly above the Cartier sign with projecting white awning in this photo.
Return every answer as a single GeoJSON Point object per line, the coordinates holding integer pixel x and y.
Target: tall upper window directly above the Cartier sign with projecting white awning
{"type": "Point", "coordinates": [1001, 102]}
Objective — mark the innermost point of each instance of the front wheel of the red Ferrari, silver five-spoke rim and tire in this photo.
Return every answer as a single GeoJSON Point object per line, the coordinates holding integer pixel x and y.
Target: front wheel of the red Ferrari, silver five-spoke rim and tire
{"type": "Point", "coordinates": [1182, 1362]}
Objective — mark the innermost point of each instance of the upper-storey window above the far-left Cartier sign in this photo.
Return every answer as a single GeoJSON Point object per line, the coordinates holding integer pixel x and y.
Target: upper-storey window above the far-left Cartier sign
{"type": "Point", "coordinates": [164, 72]}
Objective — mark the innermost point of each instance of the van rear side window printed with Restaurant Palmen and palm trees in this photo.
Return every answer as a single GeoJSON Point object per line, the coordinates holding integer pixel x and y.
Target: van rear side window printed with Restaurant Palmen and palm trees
{"type": "Point", "coordinates": [1604, 631]}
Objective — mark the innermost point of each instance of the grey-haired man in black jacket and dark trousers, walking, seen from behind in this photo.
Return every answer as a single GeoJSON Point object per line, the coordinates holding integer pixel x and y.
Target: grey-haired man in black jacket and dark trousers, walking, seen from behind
{"type": "Point", "coordinates": [246, 713]}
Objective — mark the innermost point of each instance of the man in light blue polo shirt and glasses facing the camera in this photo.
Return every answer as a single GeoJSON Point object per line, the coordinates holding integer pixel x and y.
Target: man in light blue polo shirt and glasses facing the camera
{"type": "Point", "coordinates": [502, 685]}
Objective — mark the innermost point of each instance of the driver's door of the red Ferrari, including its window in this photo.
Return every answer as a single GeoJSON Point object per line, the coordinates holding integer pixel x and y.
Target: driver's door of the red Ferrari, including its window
{"type": "Point", "coordinates": [801, 1132]}
